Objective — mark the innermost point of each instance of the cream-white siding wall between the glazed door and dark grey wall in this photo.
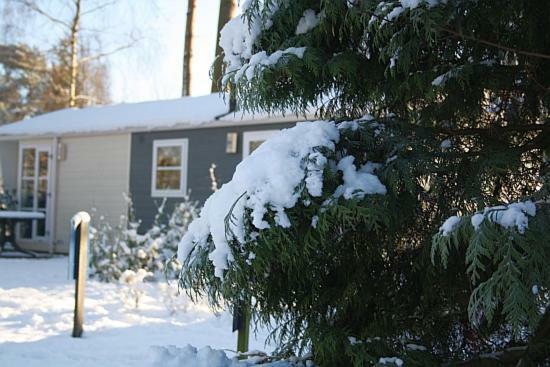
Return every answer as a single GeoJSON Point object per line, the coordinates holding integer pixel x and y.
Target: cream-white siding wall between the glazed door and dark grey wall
{"type": "Point", "coordinates": [94, 174]}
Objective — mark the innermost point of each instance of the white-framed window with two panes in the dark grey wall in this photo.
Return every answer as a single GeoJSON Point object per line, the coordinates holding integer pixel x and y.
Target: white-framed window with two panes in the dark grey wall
{"type": "Point", "coordinates": [169, 168]}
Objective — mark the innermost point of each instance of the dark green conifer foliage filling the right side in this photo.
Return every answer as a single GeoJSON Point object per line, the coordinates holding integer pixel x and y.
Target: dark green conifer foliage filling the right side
{"type": "Point", "coordinates": [460, 92]}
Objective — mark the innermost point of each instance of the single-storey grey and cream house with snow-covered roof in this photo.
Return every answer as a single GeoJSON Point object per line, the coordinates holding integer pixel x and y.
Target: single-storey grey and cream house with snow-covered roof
{"type": "Point", "coordinates": [70, 160]}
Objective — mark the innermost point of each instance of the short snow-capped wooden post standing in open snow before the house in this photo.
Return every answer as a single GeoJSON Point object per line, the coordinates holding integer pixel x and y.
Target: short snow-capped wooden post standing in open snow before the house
{"type": "Point", "coordinates": [79, 256]}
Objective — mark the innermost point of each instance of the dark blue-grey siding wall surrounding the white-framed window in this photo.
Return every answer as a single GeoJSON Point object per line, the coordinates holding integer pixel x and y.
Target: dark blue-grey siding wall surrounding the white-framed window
{"type": "Point", "coordinates": [206, 146]}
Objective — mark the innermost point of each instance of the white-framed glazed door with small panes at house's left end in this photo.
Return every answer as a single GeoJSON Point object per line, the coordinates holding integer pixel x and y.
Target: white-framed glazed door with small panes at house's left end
{"type": "Point", "coordinates": [35, 163]}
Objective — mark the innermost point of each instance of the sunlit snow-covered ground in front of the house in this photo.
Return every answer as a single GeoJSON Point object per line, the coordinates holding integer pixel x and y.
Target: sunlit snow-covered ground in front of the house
{"type": "Point", "coordinates": [36, 311]}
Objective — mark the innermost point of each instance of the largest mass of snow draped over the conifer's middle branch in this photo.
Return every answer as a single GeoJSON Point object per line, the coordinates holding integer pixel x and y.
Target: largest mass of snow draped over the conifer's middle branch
{"type": "Point", "coordinates": [272, 178]}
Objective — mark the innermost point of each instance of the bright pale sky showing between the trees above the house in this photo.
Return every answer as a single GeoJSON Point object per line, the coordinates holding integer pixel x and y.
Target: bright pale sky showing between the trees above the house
{"type": "Point", "coordinates": [151, 68]}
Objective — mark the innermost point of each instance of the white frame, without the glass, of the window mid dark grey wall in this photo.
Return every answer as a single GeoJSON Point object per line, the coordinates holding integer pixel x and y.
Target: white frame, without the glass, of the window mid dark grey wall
{"type": "Point", "coordinates": [184, 145]}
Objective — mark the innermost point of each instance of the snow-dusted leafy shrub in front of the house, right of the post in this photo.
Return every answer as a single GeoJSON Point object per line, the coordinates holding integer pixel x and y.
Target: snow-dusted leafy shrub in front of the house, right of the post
{"type": "Point", "coordinates": [115, 249]}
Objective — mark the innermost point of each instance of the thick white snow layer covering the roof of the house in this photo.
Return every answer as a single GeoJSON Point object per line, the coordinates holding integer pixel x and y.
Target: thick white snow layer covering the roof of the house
{"type": "Point", "coordinates": [120, 117]}
